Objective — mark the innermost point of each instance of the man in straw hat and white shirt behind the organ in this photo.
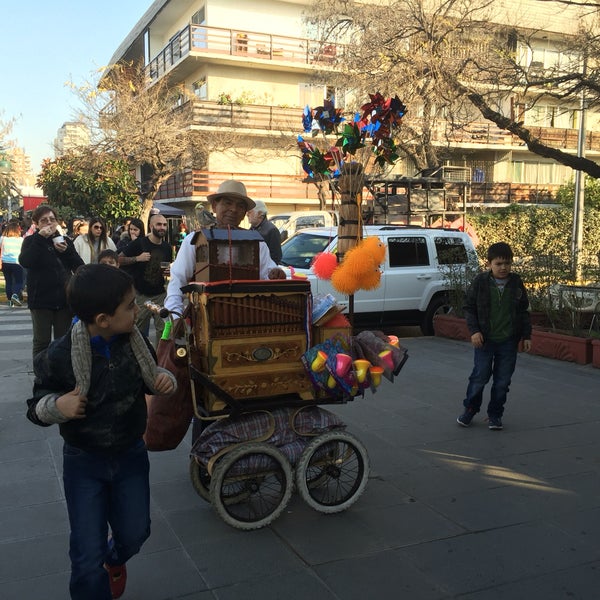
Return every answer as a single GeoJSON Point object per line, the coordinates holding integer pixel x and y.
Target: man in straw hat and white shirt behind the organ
{"type": "Point", "coordinates": [229, 204]}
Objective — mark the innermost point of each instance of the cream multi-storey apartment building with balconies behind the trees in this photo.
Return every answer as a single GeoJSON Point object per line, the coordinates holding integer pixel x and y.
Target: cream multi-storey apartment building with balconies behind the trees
{"type": "Point", "coordinates": [251, 67]}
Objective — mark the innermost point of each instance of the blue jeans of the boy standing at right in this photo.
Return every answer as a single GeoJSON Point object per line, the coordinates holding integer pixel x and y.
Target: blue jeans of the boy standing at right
{"type": "Point", "coordinates": [497, 359]}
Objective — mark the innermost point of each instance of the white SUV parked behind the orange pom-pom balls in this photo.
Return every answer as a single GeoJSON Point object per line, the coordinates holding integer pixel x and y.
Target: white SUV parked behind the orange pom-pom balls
{"type": "Point", "coordinates": [414, 287]}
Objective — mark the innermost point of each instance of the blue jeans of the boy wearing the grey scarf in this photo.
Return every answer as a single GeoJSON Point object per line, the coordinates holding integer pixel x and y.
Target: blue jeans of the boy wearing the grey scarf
{"type": "Point", "coordinates": [102, 490]}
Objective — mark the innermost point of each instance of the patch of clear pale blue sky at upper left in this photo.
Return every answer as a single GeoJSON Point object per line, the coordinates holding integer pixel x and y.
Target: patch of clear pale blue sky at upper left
{"type": "Point", "coordinates": [46, 43]}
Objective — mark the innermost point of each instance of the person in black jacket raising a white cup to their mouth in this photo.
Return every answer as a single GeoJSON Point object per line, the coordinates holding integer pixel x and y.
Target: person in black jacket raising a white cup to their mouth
{"type": "Point", "coordinates": [50, 259]}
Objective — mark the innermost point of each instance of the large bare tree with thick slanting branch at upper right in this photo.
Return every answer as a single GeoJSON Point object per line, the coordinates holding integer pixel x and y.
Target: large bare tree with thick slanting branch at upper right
{"type": "Point", "coordinates": [451, 62]}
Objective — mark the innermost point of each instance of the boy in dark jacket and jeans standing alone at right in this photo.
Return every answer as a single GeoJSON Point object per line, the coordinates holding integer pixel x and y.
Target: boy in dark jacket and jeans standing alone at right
{"type": "Point", "coordinates": [496, 311]}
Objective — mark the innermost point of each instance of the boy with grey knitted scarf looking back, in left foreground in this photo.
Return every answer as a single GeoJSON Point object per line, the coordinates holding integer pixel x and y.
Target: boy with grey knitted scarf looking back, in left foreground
{"type": "Point", "coordinates": [92, 382]}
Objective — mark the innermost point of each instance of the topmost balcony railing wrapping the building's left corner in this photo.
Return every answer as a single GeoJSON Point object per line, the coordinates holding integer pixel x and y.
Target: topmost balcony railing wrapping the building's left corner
{"type": "Point", "coordinates": [201, 39]}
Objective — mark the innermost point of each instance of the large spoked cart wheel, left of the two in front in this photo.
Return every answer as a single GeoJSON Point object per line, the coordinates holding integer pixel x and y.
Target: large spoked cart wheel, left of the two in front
{"type": "Point", "coordinates": [251, 485]}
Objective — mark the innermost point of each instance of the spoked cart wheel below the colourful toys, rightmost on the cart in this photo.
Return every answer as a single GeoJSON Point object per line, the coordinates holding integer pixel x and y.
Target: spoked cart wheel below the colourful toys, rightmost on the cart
{"type": "Point", "coordinates": [332, 471]}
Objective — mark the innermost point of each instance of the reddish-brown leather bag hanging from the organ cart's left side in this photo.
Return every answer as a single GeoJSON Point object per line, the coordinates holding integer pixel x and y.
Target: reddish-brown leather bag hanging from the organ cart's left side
{"type": "Point", "coordinates": [169, 416]}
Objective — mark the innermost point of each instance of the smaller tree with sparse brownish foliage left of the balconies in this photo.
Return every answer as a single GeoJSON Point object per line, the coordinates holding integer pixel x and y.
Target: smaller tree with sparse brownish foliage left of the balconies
{"type": "Point", "coordinates": [148, 124]}
